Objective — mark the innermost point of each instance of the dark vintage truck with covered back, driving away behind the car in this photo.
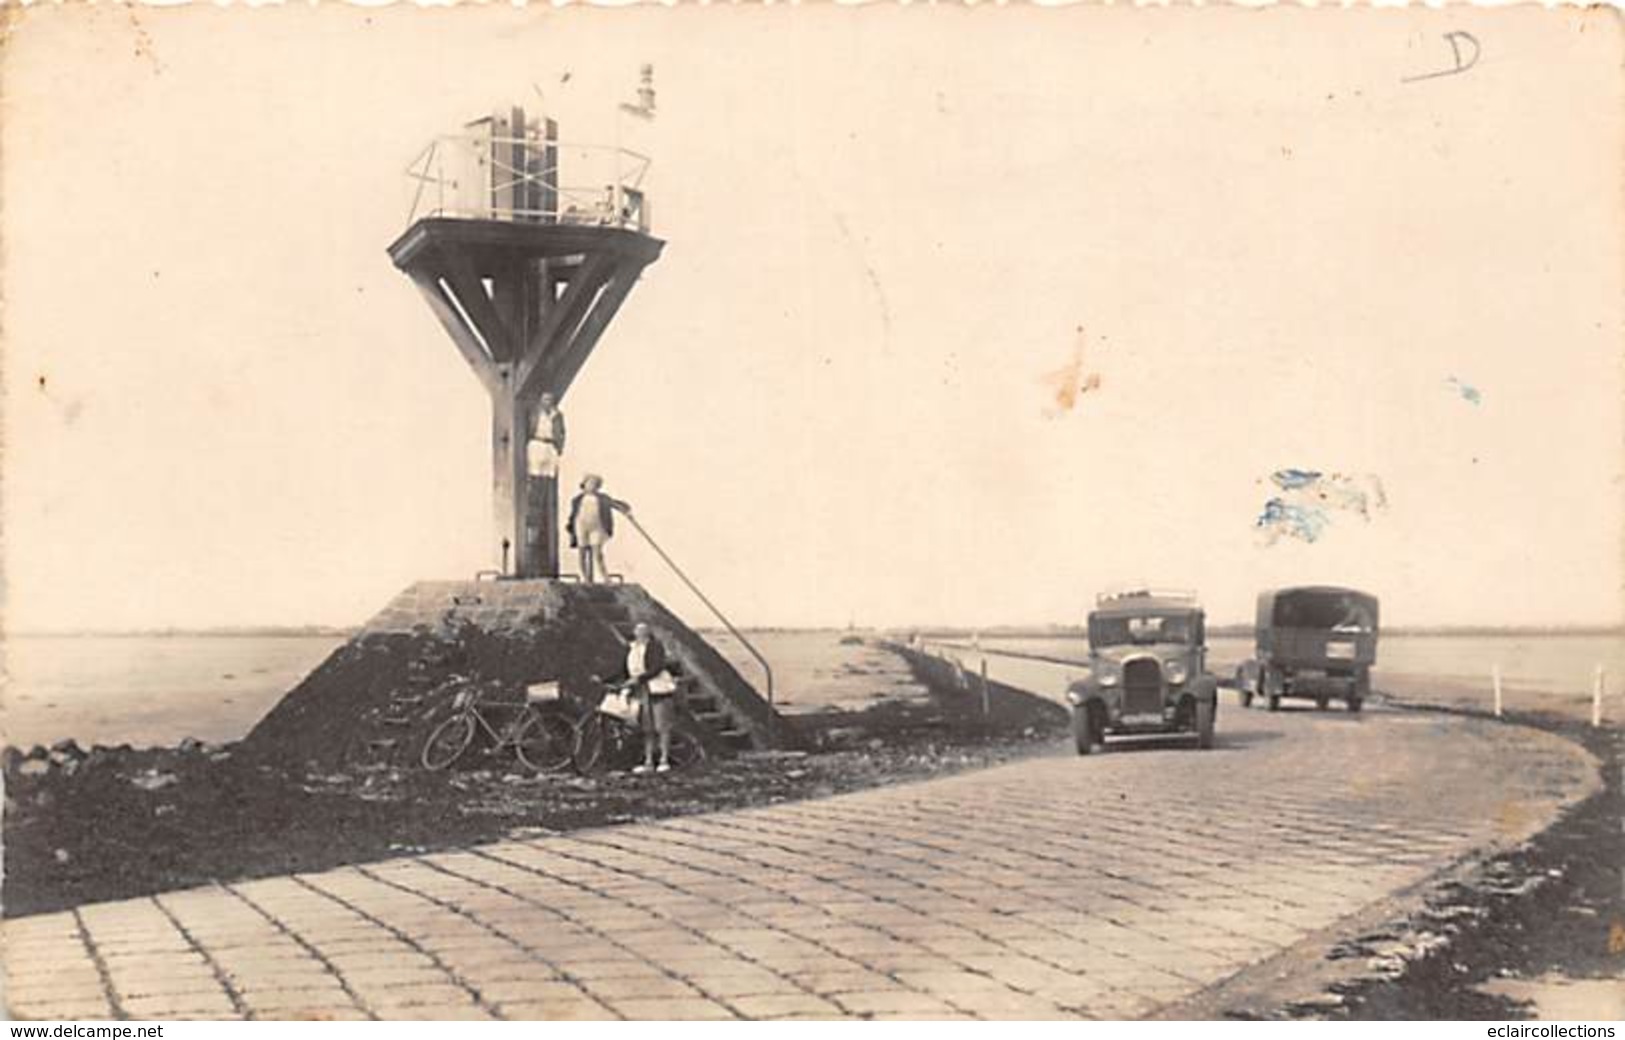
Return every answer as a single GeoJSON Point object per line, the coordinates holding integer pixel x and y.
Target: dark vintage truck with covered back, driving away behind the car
{"type": "Point", "coordinates": [1315, 641]}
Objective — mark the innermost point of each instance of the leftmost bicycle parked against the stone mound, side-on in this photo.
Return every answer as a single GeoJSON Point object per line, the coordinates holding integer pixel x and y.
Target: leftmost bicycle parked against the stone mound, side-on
{"type": "Point", "coordinates": [537, 729]}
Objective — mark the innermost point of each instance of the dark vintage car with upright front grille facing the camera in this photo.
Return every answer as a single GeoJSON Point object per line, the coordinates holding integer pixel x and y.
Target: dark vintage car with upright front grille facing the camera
{"type": "Point", "coordinates": [1146, 670]}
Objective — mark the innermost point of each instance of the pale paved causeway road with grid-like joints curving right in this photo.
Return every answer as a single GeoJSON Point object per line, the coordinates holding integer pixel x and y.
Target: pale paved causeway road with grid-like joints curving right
{"type": "Point", "coordinates": [1049, 888]}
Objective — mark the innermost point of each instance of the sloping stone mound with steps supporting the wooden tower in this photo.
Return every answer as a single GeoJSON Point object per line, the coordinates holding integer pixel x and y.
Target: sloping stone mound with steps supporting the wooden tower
{"type": "Point", "coordinates": [376, 700]}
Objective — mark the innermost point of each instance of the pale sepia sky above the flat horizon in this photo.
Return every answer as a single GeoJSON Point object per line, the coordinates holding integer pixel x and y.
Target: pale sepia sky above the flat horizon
{"type": "Point", "coordinates": [1252, 240]}
